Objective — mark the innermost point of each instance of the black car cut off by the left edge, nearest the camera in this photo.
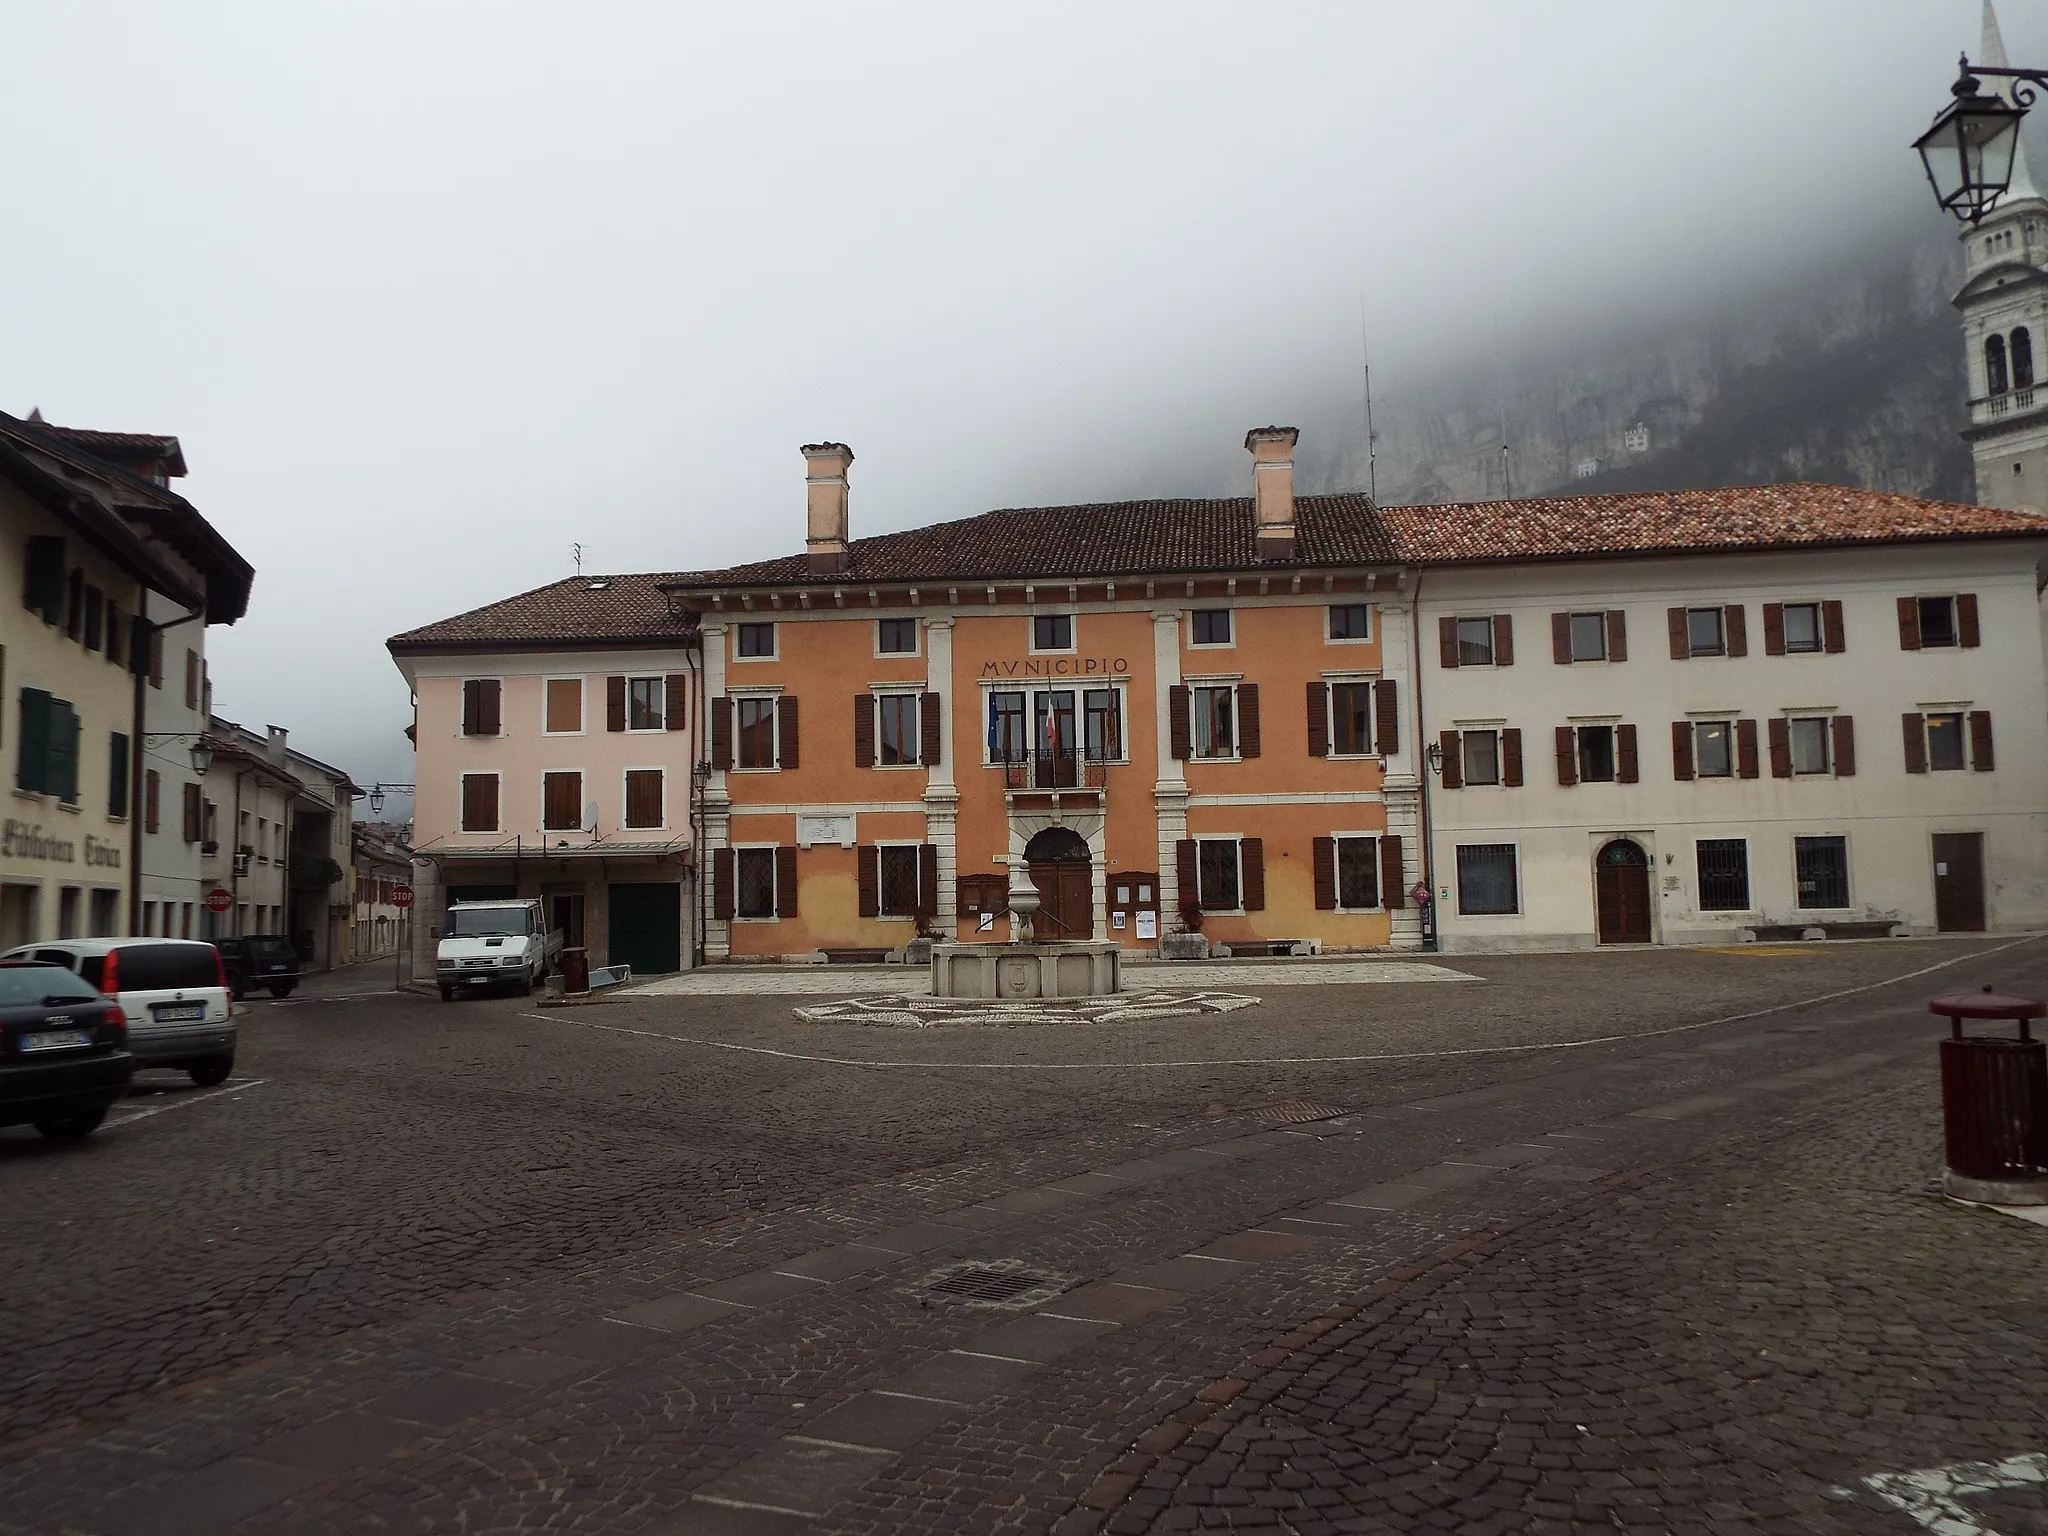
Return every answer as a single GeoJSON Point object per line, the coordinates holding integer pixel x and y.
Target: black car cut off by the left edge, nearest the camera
{"type": "Point", "coordinates": [62, 1052]}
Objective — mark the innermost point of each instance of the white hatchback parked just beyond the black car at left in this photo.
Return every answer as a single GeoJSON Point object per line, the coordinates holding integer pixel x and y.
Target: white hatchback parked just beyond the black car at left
{"type": "Point", "coordinates": [171, 990]}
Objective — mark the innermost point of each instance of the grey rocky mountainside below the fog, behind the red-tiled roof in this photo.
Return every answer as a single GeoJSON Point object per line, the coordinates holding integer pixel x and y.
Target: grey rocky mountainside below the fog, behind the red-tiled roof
{"type": "Point", "coordinates": [1852, 378]}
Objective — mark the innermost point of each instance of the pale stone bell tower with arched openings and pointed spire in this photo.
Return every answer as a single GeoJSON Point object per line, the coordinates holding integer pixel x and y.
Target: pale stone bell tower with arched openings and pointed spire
{"type": "Point", "coordinates": [2004, 304]}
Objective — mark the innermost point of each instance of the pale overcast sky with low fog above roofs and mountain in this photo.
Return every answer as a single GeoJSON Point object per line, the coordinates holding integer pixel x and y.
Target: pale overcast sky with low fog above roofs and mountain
{"type": "Point", "coordinates": [433, 292]}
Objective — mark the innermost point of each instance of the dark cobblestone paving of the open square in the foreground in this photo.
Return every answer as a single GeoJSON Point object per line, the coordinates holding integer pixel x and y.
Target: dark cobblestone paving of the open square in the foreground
{"type": "Point", "coordinates": [1551, 1250]}
